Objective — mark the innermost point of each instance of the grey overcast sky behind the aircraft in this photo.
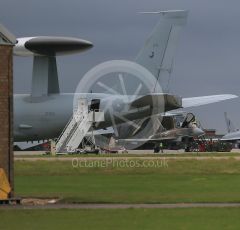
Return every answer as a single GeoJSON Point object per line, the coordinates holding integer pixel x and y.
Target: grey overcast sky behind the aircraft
{"type": "Point", "coordinates": [207, 60]}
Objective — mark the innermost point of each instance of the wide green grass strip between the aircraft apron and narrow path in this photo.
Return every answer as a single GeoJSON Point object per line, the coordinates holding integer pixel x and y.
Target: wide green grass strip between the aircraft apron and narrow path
{"type": "Point", "coordinates": [182, 181]}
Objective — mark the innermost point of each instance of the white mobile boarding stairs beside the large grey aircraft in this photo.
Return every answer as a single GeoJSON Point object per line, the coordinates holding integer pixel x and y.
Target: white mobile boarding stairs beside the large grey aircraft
{"type": "Point", "coordinates": [78, 126]}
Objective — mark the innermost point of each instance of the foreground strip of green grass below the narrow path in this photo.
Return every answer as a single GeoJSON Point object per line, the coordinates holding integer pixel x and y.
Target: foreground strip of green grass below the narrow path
{"type": "Point", "coordinates": [194, 218]}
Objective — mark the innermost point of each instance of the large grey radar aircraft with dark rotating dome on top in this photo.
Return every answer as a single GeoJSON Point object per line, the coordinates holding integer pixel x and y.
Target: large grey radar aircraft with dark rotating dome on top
{"type": "Point", "coordinates": [44, 112]}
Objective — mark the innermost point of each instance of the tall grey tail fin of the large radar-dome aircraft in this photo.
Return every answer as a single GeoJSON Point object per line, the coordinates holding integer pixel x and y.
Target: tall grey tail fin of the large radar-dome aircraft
{"type": "Point", "coordinates": [159, 49]}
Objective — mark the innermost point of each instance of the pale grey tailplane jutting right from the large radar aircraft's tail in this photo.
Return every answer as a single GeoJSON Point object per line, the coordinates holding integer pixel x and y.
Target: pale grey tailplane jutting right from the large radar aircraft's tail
{"type": "Point", "coordinates": [204, 100]}
